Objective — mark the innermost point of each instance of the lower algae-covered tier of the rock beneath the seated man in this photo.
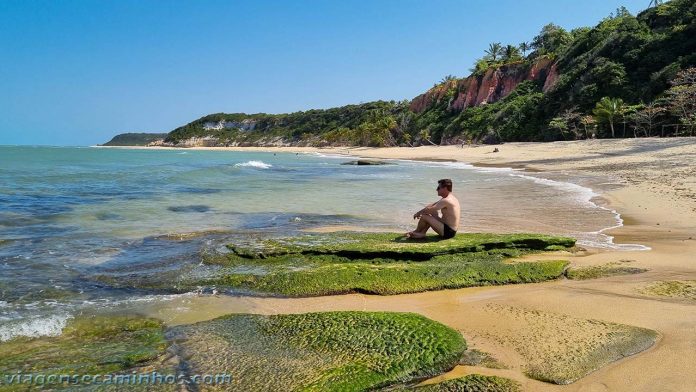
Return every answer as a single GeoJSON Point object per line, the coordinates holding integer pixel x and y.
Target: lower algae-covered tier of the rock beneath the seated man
{"type": "Point", "coordinates": [326, 275]}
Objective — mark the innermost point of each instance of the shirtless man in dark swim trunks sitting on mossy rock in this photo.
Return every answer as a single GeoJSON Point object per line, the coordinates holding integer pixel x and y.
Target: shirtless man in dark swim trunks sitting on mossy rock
{"type": "Point", "coordinates": [447, 225]}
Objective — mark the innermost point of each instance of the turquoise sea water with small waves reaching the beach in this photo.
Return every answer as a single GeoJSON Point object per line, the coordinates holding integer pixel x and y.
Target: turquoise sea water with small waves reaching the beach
{"type": "Point", "coordinates": [69, 214]}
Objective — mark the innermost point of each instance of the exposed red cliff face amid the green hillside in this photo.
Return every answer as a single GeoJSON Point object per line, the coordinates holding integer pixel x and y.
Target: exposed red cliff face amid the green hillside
{"type": "Point", "coordinates": [490, 87]}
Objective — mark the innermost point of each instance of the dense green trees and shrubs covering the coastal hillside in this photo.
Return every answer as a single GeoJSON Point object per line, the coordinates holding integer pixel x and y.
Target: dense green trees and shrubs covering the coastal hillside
{"type": "Point", "coordinates": [644, 65]}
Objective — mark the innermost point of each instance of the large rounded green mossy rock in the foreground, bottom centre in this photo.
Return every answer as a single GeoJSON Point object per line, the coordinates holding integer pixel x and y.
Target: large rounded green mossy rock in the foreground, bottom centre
{"type": "Point", "coordinates": [328, 351]}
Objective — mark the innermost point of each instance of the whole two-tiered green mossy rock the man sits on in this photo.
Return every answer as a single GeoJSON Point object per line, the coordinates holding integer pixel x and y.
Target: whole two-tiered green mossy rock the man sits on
{"type": "Point", "coordinates": [379, 264]}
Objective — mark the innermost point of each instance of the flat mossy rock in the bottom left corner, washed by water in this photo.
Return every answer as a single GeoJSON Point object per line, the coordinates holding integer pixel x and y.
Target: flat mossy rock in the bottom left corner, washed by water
{"type": "Point", "coordinates": [88, 345]}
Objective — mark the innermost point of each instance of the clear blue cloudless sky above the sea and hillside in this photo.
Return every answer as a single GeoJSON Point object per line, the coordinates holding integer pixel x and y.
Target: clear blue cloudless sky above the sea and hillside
{"type": "Point", "coordinates": [79, 72]}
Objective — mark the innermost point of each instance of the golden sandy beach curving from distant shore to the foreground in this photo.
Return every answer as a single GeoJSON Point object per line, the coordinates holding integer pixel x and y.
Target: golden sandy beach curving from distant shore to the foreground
{"type": "Point", "coordinates": [521, 324]}
